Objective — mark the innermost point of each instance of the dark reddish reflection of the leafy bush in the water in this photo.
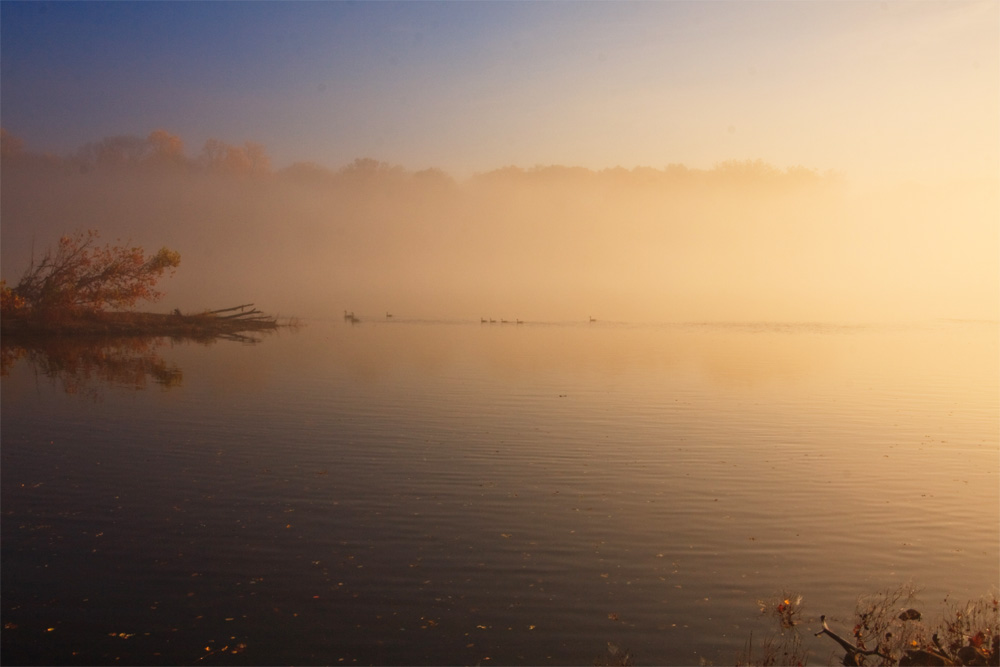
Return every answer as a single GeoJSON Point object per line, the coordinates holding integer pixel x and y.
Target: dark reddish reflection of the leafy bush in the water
{"type": "Point", "coordinates": [81, 364]}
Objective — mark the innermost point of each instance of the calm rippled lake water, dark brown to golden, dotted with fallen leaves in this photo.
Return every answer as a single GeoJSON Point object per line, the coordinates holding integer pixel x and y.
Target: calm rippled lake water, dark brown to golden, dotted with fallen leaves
{"type": "Point", "coordinates": [457, 493]}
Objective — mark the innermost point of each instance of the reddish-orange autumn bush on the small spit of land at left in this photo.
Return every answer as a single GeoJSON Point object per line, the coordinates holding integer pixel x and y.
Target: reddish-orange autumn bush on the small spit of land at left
{"type": "Point", "coordinates": [80, 275]}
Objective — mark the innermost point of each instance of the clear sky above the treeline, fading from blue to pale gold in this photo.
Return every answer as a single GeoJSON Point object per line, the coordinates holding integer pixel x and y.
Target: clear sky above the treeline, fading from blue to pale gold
{"type": "Point", "coordinates": [901, 89]}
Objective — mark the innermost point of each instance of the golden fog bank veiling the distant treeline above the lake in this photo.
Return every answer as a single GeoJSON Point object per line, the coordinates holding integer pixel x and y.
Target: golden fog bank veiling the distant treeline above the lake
{"type": "Point", "coordinates": [740, 241]}
